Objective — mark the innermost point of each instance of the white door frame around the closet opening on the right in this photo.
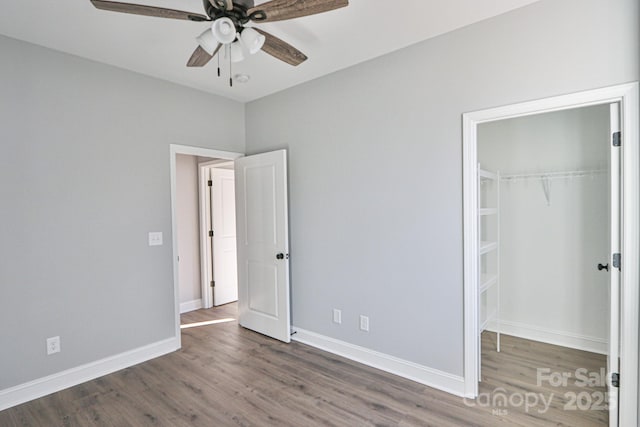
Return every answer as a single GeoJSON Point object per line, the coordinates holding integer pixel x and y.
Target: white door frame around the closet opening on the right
{"type": "Point", "coordinates": [627, 96]}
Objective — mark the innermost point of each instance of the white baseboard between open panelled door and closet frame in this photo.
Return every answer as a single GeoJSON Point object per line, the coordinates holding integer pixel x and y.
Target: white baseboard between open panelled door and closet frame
{"type": "Point", "coordinates": [453, 384]}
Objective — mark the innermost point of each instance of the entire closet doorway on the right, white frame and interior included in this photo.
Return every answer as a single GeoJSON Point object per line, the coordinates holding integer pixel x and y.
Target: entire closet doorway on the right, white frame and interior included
{"type": "Point", "coordinates": [540, 223]}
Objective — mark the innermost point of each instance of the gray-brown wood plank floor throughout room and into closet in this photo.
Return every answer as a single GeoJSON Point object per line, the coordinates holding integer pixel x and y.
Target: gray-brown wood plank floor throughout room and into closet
{"type": "Point", "coordinates": [228, 376]}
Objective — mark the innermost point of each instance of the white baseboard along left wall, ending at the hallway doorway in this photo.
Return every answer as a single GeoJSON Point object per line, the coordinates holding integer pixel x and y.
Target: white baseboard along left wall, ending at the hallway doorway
{"type": "Point", "coordinates": [50, 384]}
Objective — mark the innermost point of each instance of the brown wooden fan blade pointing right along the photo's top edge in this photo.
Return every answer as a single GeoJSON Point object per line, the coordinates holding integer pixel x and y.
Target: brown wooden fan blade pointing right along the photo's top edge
{"type": "Point", "coordinates": [279, 10]}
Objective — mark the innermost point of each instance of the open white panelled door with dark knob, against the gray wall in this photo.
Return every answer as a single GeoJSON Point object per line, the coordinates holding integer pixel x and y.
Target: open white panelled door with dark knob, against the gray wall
{"type": "Point", "coordinates": [263, 244]}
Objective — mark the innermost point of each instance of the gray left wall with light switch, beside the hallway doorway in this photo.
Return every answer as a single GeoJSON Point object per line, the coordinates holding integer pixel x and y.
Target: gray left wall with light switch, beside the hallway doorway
{"type": "Point", "coordinates": [84, 175]}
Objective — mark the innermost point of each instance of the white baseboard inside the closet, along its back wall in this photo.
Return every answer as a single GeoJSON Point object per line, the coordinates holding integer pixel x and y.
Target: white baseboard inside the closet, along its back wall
{"type": "Point", "coordinates": [550, 336]}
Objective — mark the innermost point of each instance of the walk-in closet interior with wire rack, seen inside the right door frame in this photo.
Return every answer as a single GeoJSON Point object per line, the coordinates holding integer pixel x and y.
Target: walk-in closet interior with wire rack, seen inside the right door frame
{"type": "Point", "coordinates": [543, 230]}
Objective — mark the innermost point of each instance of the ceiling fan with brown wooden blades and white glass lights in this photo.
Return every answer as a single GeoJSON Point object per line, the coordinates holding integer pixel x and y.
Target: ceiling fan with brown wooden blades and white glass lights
{"type": "Point", "coordinates": [228, 29]}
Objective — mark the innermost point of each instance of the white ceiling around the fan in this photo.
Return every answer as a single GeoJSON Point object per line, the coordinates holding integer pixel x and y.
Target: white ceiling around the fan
{"type": "Point", "coordinates": [160, 47]}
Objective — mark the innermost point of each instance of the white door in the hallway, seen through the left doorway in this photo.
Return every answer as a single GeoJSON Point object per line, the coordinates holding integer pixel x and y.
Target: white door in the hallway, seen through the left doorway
{"type": "Point", "coordinates": [223, 219]}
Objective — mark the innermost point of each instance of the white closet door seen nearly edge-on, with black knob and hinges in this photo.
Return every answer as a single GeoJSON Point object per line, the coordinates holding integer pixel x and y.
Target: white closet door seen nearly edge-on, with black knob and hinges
{"type": "Point", "coordinates": [613, 361]}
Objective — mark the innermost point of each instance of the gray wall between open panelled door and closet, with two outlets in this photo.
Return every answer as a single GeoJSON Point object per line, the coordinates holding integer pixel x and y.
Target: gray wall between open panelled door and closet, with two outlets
{"type": "Point", "coordinates": [376, 165]}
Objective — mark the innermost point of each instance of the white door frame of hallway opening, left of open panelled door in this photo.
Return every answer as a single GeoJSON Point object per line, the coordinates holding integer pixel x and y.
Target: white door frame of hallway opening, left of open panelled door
{"type": "Point", "coordinates": [174, 150]}
